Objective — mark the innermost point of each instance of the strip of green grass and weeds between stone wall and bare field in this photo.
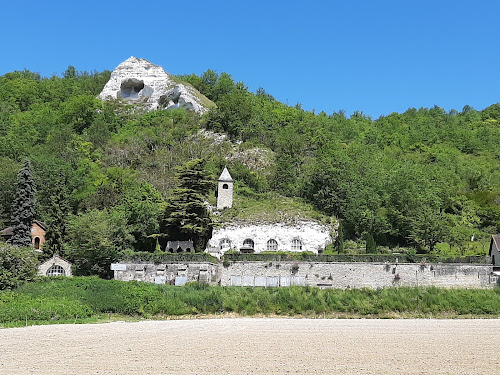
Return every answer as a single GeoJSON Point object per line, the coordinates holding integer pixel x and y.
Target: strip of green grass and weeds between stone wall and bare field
{"type": "Point", "coordinates": [79, 299]}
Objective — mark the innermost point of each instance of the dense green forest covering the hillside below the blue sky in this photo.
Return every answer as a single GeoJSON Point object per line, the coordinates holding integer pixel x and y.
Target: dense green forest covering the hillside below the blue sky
{"type": "Point", "coordinates": [105, 172]}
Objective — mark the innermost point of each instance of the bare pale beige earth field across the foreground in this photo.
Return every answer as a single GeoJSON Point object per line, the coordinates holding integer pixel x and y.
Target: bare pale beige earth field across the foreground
{"type": "Point", "coordinates": [254, 345]}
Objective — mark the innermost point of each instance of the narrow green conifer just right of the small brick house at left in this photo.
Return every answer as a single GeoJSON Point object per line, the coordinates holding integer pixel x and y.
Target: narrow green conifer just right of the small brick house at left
{"type": "Point", "coordinates": [57, 211]}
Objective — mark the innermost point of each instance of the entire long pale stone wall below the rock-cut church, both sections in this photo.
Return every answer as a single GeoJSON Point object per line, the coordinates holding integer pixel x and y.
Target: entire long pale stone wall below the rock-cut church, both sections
{"type": "Point", "coordinates": [318, 274]}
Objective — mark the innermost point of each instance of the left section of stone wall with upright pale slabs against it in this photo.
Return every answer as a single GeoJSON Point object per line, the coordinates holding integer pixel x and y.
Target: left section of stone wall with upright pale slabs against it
{"type": "Point", "coordinates": [166, 273]}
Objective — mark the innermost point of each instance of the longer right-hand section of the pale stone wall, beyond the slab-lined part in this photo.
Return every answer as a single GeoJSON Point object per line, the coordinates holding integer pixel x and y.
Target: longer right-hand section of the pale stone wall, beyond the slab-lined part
{"type": "Point", "coordinates": [358, 275]}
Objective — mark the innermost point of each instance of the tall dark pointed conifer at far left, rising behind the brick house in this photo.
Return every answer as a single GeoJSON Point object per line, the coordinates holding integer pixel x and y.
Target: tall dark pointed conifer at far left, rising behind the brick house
{"type": "Point", "coordinates": [23, 207]}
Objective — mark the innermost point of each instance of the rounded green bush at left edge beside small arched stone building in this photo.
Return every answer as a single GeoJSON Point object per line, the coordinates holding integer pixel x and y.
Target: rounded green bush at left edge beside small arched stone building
{"type": "Point", "coordinates": [16, 265]}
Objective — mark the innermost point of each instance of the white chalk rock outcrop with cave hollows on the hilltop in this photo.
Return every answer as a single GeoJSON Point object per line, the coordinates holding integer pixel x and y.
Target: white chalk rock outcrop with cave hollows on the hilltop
{"type": "Point", "coordinates": [139, 81]}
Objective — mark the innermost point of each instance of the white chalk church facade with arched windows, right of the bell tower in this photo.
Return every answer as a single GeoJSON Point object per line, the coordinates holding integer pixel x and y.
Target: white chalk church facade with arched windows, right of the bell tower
{"type": "Point", "coordinates": [303, 236]}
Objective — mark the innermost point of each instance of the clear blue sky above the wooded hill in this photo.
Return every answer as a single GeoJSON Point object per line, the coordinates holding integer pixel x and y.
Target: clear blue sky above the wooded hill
{"type": "Point", "coordinates": [374, 56]}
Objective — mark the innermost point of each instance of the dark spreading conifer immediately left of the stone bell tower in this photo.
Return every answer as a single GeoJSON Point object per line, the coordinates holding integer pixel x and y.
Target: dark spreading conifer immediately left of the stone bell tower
{"type": "Point", "coordinates": [187, 216]}
